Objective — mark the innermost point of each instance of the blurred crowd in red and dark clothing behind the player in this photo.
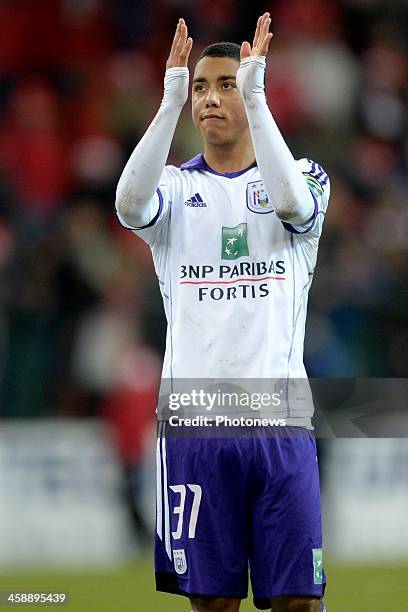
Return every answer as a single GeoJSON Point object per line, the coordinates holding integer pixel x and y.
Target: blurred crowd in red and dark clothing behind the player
{"type": "Point", "coordinates": [81, 322]}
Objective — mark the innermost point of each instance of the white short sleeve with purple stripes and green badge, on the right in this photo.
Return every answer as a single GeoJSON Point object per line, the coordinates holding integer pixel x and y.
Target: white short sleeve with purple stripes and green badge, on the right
{"type": "Point", "coordinates": [319, 186]}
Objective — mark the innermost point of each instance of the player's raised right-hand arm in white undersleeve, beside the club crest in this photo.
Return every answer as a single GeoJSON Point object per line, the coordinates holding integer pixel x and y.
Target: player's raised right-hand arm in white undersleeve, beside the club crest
{"type": "Point", "coordinates": [283, 180]}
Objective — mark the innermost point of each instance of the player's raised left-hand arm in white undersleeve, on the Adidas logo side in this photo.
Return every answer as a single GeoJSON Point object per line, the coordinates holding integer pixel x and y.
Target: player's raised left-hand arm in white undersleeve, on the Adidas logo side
{"type": "Point", "coordinates": [140, 177]}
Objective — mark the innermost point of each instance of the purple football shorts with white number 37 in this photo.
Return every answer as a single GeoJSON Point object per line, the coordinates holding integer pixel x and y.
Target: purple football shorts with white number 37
{"type": "Point", "coordinates": [229, 505]}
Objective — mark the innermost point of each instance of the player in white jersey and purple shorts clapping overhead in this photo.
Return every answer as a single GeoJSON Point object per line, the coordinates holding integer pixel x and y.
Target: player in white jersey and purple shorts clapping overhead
{"type": "Point", "coordinates": [234, 236]}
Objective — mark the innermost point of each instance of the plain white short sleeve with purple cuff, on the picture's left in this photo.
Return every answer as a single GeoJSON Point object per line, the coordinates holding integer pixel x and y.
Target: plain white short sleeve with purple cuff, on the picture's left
{"type": "Point", "coordinates": [156, 214]}
